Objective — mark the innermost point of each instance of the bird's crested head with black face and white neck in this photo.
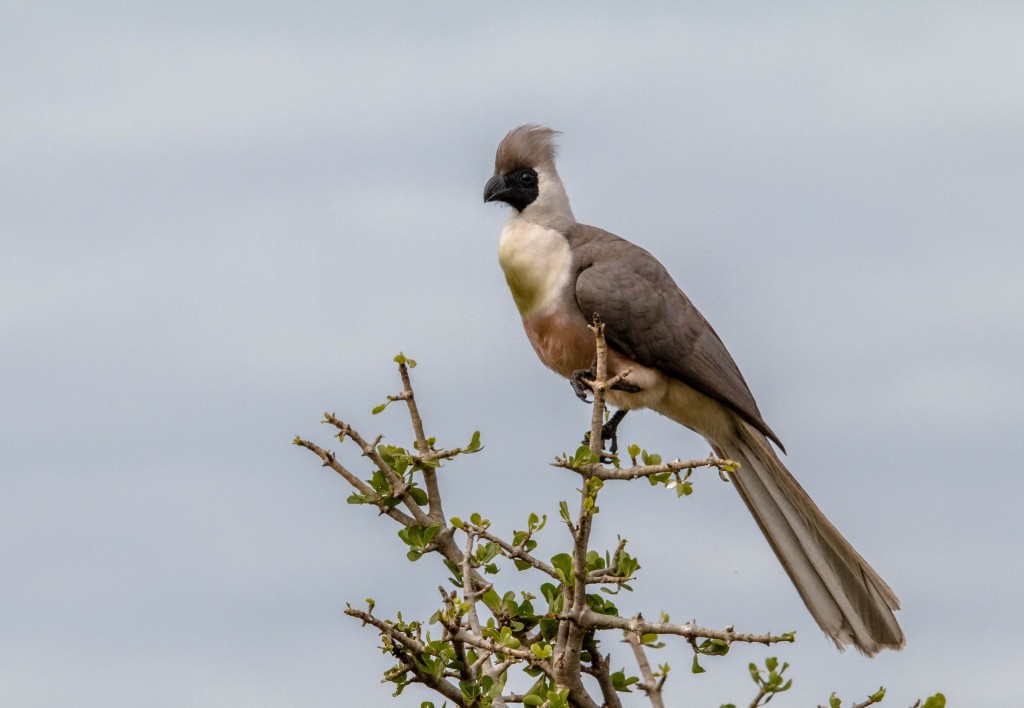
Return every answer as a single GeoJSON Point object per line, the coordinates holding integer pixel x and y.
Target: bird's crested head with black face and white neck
{"type": "Point", "coordinates": [526, 178]}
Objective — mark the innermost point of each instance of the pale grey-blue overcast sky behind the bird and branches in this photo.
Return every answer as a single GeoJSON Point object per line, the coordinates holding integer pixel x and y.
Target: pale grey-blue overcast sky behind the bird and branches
{"type": "Point", "coordinates": [222, 220]}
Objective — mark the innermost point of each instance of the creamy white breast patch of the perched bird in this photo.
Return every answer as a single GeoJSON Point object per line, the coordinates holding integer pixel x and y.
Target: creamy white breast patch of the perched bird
{"type": "Point", "coordinates": [538, 264]}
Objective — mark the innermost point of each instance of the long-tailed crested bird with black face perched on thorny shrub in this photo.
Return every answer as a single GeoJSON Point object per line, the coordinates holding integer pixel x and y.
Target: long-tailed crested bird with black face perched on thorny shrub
{"type": "Point", "coordinates": [564, 274]}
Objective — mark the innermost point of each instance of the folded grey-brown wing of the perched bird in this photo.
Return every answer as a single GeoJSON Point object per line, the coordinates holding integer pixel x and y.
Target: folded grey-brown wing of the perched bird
{"type": "Point", "coordinates": [651, 320]}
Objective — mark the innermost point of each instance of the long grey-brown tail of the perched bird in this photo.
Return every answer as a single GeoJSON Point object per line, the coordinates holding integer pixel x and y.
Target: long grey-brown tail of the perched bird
{"type": "Point", "coordinates": [848, 600]}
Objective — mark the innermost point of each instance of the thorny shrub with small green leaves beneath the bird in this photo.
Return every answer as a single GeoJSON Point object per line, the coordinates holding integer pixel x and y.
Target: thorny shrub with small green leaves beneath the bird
{"type": "Point", "coordinates": [470, 665]}
